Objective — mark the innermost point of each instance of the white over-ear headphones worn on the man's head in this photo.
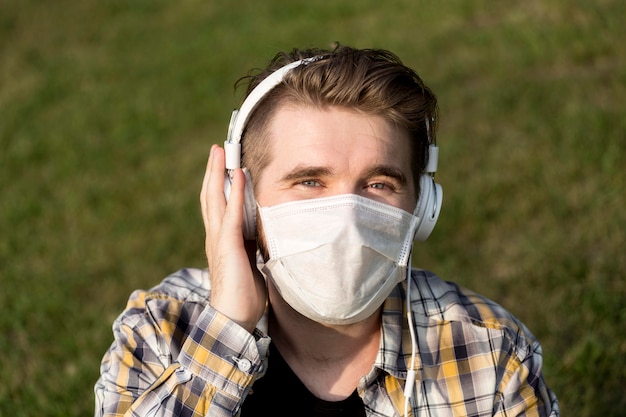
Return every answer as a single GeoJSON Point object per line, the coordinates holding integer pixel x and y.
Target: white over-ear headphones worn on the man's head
{"type": "Point", "coordinates": [428, 205]}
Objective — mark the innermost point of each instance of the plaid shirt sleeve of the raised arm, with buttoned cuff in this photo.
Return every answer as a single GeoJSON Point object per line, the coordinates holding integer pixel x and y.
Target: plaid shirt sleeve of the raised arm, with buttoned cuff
{"type": "Point", "coordinates": [173, 358]}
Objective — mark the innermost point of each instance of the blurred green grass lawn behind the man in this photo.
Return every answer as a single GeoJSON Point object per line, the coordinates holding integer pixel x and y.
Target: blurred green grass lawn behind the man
{"type": "Point", "coordinates": [108, 109]}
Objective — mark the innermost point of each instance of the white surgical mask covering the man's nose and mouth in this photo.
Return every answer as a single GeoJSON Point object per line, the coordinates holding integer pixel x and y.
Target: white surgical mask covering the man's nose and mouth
{"type": "Point", "coordinates": [336, 259]}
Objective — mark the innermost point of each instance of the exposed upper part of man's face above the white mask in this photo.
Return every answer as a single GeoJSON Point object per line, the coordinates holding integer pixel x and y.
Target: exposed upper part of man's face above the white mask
{"type": "Point", "coordinates": [326, 152]}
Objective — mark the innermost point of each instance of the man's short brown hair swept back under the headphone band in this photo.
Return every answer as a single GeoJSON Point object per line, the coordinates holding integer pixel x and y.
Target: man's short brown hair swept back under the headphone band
{"type": "Point", "coordinates": [372, 81]}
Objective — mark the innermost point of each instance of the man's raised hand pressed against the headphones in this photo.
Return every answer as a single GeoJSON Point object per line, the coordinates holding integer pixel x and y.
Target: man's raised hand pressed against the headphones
{"type": "Point", "coordinates": [237, 288]}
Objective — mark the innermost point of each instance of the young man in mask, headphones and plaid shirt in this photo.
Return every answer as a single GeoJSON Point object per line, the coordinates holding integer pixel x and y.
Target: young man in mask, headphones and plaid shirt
{"type": "Point", "coordinates": [309, 305]}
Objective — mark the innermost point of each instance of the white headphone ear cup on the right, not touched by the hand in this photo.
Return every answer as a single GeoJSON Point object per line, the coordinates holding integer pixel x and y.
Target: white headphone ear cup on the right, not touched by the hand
{"type": "Point", "coordinates": [428, 206]}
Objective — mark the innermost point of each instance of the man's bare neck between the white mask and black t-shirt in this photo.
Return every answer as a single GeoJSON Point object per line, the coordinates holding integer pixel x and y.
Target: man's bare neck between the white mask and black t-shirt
{"type": "Point", "coordinates": [329, 360]}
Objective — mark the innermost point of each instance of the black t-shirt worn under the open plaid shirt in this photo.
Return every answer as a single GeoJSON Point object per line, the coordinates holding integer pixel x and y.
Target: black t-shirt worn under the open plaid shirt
{"type": "Point", "coordinates": [280, 392]}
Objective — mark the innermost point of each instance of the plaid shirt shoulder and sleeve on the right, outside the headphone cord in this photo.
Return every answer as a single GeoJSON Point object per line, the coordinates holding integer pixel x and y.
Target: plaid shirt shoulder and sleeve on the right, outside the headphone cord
{"type": "Point", "coordinates": [476, 357]}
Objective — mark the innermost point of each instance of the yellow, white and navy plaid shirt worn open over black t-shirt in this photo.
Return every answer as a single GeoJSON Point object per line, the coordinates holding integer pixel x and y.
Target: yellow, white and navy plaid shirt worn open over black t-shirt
{"type": "Point", "coordinates": [174, 355]}
